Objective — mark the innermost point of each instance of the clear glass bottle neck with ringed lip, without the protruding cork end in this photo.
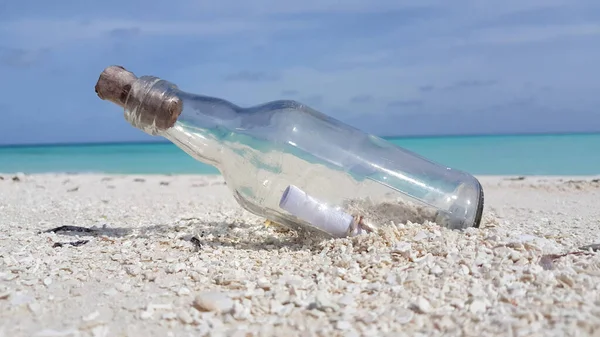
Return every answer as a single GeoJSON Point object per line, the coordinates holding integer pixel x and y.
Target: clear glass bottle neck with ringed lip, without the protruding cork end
{"type": "Point", "coordinates": [194, 123]}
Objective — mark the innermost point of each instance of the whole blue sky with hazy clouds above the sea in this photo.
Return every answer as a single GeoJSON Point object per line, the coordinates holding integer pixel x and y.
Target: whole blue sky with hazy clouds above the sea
{"type": "Point", "coordinates": [388, 67]}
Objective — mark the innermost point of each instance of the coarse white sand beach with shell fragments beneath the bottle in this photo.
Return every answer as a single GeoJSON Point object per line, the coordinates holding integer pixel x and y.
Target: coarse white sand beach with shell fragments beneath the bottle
{"type": "Point", "coordinates": [141, 276]}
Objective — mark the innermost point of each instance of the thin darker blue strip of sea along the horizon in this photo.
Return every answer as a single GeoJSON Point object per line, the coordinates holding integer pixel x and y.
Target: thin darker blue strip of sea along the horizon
{"type": "Point", "coordinates": [149, 142]}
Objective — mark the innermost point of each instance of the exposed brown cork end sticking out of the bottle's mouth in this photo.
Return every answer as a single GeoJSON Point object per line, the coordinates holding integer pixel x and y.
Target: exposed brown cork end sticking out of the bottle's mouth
{"type": "Point", "coordinates": [114, 84]}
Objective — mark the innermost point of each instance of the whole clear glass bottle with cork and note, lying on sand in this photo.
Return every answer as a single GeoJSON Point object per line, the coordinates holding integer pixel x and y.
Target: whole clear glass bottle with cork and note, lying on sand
{"type": "Point", "coordinates": [296, 166]}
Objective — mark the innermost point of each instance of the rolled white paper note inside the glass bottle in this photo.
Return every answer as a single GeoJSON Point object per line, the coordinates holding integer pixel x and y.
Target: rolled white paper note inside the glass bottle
{"type": "Point", "coordinates": [317, 213]}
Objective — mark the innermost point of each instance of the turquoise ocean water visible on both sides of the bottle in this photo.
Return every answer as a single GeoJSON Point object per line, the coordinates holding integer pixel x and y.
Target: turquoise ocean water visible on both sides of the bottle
{"type": "Point", "coordinates": [565, 154]}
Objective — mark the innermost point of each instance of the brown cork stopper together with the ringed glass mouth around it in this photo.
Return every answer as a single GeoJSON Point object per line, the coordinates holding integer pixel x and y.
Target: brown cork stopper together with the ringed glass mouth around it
{"type": "Point", "coordinates": [151, 108]}
